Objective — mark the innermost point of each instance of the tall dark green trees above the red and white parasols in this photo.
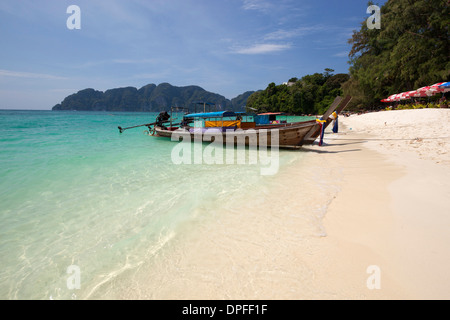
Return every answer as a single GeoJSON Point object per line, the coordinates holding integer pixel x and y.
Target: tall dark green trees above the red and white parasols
{"type": "Point", "coordinates": [408, 52]}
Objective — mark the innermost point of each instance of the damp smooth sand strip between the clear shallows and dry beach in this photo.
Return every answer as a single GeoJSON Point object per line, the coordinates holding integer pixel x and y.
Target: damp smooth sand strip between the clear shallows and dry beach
{"type": "Point", "coordinates": [359, 225]}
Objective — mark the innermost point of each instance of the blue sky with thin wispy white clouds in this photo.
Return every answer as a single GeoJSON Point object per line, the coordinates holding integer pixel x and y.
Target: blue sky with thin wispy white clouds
{"type": "Point", "coordinates": [224, 46]}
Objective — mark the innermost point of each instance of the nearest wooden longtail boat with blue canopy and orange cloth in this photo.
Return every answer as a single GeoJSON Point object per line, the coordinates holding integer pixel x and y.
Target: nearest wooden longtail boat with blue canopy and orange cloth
{"type": "Point", "coordinates": [238, 132]}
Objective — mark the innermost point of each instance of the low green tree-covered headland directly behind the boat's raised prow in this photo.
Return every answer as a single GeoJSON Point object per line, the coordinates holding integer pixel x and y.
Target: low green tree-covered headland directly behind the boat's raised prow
{"type": "Point", "coordinates": [312, 94]}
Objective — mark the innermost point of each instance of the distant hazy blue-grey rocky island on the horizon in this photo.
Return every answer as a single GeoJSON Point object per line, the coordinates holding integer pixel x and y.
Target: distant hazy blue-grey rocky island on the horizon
{"type": "Point", "coordinates": [150, 98]}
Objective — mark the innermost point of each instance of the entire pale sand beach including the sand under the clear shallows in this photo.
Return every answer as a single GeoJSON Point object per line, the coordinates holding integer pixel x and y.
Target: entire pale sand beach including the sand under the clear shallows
{"type": "Point", "coordinates": [380, 231]}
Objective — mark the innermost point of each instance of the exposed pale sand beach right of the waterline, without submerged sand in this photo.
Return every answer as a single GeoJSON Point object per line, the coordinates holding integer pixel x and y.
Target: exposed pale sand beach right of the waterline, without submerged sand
{"type": "Point", "coordinates": [393, 210]}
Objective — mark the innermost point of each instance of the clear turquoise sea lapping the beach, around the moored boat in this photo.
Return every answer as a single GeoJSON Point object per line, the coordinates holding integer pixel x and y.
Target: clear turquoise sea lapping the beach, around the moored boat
{"type": "Point", "coordinates": [81, 203]}
